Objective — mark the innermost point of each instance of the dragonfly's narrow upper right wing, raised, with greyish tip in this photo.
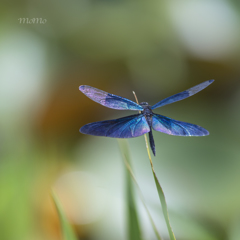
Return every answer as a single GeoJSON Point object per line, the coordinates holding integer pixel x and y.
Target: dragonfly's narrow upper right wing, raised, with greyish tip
{"type": "Point", "coordinates": [183, 95]}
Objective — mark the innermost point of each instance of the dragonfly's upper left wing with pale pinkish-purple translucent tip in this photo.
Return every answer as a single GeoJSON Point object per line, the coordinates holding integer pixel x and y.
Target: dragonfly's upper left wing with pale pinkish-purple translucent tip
{"type": "Point", "coordinates": [109, 100]}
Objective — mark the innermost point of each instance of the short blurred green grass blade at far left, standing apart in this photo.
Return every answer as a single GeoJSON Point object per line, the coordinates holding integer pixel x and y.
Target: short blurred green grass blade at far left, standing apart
{"type": "Point", "coordinates": [67, 231]}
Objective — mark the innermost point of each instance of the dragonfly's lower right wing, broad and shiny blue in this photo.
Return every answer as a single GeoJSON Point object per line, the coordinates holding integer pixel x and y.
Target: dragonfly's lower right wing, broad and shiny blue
{"type": "Point", "coordinates": [174, 127]}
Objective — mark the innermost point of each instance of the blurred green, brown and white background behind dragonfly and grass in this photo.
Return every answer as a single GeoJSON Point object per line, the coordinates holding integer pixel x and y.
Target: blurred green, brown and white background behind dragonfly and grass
{"type": "Point", "coordinates": [156, 48]}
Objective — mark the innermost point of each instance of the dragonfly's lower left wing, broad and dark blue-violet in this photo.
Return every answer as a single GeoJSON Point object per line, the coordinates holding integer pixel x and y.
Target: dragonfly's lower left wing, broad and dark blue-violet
{"type": "Point", "coordinates": [126, 127]}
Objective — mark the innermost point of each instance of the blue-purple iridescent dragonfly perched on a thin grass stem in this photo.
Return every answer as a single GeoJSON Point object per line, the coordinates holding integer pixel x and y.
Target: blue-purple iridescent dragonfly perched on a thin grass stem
{"type": "Point", "coordinates": [142, 122]}
